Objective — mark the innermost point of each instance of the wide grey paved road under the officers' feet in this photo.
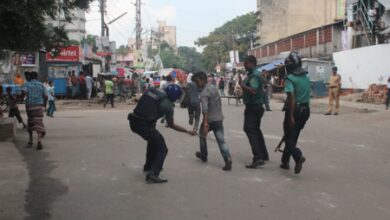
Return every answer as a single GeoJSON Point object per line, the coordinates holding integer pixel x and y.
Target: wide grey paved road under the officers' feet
{"type": "Point", "coordinates": [90, 168]}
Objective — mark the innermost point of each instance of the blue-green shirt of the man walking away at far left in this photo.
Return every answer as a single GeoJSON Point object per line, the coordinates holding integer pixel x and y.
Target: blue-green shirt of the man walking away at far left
{"type": "Point", "coordinates": [35, 92]}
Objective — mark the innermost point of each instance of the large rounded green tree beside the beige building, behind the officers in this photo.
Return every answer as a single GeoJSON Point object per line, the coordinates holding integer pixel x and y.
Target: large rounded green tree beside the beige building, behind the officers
{"type": "Point", "coordinates": [219, 42]}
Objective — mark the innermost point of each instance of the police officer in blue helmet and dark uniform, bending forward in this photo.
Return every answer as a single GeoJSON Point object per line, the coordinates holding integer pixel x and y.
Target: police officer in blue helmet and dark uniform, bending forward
{"type": "Point", "coordinates": [153, 105]}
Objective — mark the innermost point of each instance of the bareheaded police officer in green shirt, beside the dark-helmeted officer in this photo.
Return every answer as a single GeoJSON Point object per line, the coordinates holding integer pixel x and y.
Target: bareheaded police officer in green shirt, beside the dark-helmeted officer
{"type": "Point", "coordinates": [253, 93]}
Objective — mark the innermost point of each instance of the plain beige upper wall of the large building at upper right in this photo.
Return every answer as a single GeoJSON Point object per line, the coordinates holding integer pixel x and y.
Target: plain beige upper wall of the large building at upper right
{"type": "Point", "coordinates": [277, 19]}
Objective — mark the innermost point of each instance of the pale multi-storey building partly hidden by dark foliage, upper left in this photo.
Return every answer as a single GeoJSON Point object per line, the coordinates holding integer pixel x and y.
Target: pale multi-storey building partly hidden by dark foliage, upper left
{"type": "Point", "coordinates": [76, 28]}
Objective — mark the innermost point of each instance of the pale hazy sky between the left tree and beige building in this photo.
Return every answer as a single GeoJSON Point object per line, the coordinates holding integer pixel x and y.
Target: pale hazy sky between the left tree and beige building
{"type": "Point", "coordinates": [193, 19]}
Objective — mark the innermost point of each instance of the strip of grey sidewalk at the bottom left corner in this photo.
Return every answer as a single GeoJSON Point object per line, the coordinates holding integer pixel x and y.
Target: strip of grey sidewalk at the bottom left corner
{"type": "Point", "coordinates": [14, 180]}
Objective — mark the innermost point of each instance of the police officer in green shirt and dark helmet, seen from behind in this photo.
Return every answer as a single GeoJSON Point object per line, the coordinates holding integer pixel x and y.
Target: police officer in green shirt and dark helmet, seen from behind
{"type": "Point", "coordinates": [297, 110]}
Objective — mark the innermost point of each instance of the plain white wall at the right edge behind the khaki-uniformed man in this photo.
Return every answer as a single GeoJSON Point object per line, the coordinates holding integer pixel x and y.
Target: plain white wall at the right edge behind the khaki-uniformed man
{"type": "Point", "coordinates": [363, 66]}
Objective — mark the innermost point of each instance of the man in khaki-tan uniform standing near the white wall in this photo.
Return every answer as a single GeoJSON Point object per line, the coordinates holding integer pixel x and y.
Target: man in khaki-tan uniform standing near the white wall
{"type": "Point", "coordinates": [334, 91]}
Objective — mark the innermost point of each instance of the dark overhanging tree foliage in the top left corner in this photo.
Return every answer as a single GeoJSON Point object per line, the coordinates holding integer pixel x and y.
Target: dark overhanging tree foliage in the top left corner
{"type": "Point", "coordinates": [22, 23]}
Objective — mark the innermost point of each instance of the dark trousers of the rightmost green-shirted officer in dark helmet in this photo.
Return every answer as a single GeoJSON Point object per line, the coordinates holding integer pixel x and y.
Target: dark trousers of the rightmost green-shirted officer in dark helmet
{"type": "Point", "coordinates": [302, 114]}
